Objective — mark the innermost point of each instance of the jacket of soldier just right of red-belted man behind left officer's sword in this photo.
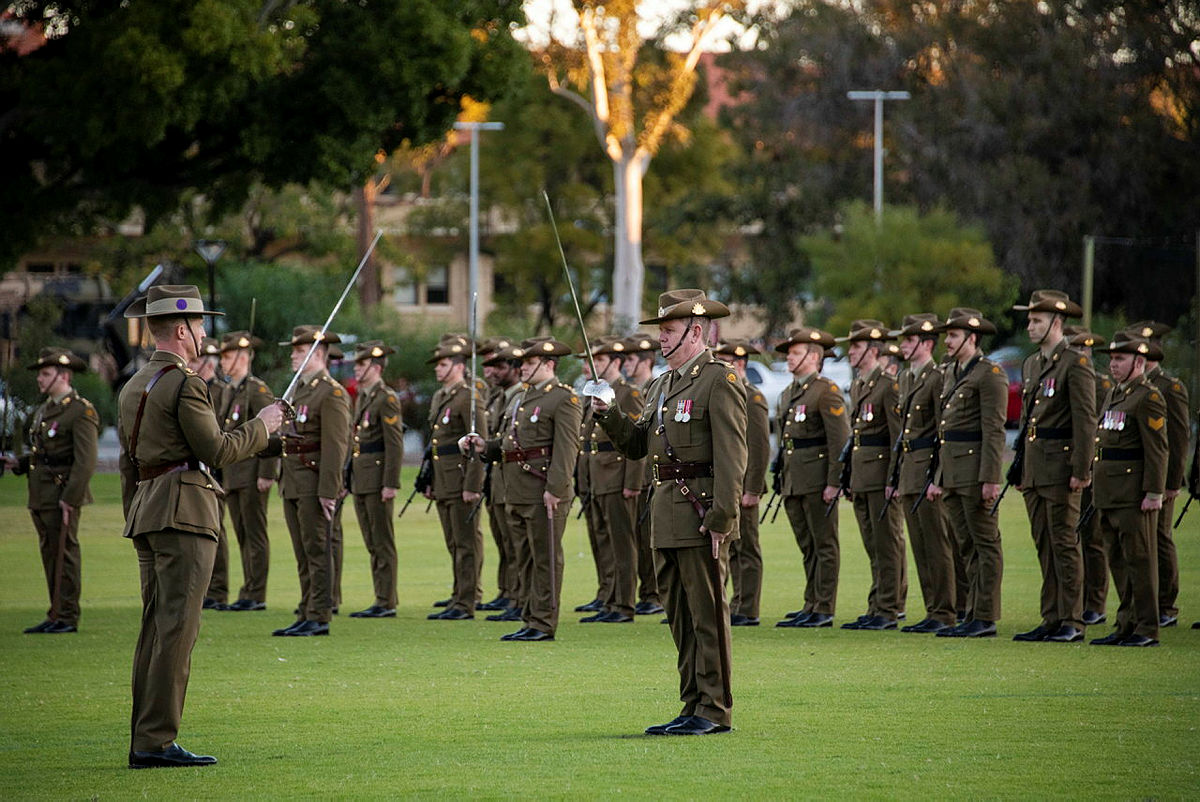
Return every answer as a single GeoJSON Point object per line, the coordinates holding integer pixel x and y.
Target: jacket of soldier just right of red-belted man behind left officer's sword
{"type": "Point", "coordinates": [377, 450]}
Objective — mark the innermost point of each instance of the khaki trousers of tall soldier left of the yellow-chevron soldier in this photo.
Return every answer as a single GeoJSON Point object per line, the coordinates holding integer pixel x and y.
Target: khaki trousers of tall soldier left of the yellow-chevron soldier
{"type": "Point", "coordinates": [1054, 513]}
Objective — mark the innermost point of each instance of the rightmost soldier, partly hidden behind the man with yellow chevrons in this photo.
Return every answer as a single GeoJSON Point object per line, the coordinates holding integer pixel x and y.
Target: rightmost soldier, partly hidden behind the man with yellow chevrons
{"type": "Point", "coordinates": [1179, 435]}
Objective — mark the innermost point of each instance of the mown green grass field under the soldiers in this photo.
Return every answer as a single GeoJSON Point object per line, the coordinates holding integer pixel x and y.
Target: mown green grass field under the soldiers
{"type": "Point", "coordinates": [416, 708]}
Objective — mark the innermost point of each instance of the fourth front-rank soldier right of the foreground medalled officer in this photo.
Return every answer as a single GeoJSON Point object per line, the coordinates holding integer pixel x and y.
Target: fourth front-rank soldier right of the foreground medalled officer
{"type": "Point", "coordinates": [914, 464]}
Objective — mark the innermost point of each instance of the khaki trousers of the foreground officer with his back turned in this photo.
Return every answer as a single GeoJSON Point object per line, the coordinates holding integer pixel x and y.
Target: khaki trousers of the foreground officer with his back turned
{"type": "Point", "coordinates": [175, 568]}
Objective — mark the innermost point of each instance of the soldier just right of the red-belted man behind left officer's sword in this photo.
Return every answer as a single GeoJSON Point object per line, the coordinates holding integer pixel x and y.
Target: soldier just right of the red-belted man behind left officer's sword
{"type": "Point", "coordinates": [376, 456]}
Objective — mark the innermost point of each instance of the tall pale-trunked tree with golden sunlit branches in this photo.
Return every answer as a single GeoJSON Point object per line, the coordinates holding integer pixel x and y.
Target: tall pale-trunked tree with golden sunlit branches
{"type": "Point", "coordinates": [633, 106]}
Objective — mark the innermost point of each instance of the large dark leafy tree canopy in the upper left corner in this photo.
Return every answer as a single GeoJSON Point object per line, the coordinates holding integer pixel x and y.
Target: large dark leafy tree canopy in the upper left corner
{"type": "Point", "coordinates": [134, 105]}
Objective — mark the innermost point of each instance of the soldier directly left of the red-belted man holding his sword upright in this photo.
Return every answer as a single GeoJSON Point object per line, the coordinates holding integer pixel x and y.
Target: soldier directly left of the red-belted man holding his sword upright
{"type": "Point", "coordinates": [458, 482]}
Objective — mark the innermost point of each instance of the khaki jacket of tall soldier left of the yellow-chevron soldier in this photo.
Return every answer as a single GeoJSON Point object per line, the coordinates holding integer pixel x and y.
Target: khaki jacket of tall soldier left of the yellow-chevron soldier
{"type": "Point", "coordinates": [1058, 398]}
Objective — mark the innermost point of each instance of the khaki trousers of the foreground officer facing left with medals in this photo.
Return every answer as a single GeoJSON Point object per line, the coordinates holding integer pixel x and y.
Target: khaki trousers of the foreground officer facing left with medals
{"type": "Point", "coordinates": [693, 586]}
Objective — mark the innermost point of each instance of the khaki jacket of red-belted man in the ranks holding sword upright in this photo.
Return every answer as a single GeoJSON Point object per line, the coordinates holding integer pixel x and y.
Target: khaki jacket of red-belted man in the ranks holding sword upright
{"type": "Point", "coordinates": [547, 416]}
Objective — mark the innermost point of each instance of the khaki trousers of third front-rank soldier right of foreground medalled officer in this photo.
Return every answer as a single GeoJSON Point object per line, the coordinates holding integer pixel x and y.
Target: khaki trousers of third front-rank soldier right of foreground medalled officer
{"type": "Point", "coordinates": [884, 542]}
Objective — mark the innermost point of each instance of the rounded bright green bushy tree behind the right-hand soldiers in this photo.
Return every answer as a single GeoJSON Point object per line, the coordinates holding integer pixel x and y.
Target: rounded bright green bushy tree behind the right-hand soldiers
{"type": "Point", "coordinates": [911, 262]}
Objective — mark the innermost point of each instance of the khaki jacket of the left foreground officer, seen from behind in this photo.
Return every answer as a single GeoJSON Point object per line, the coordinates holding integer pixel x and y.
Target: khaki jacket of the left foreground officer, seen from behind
{"type": "Point", "coordinates": [178, 424]}
